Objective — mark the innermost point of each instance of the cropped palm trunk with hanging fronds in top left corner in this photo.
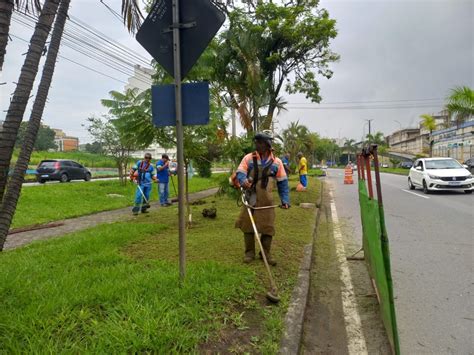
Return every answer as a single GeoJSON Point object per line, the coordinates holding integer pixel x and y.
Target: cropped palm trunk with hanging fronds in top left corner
{"type": "Point", "coordinates": [6, 10]}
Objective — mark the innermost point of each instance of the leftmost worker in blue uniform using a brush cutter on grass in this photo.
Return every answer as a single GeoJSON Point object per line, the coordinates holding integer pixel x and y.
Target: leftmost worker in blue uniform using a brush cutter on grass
{"type": "Point", "coordinates": [142, 174]}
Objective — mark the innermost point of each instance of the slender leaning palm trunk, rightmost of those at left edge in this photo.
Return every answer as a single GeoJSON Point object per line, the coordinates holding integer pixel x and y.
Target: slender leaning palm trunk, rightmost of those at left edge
{"type": "Point", "coordinates": [14, 186]}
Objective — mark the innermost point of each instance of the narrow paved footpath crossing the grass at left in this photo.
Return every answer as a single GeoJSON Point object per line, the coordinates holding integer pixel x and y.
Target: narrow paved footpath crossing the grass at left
{"type": "Point", "coordinates": [76, 224]}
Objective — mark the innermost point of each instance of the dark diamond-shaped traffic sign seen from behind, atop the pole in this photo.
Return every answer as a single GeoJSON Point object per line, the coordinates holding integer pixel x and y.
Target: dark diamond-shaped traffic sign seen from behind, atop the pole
{"type": "Point", "coordinates": [199, 22]}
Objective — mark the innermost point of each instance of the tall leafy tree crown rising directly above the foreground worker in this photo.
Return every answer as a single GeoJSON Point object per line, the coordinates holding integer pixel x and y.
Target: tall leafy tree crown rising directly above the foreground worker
{"type": "Point", "coordinates": [266, 42]}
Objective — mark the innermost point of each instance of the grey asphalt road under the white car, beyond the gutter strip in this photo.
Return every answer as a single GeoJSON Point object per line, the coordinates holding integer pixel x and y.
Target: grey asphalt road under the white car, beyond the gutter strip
{"type": "Point", "coordinates": [432, 254]}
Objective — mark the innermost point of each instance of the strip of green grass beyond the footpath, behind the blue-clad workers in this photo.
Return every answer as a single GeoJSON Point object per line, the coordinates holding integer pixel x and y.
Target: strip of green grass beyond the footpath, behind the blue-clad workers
{"type": "Point", "coordinates": [52, 202]}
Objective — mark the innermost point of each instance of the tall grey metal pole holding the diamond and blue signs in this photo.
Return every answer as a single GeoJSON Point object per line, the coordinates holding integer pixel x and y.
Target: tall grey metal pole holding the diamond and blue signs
{"type": "Point", "coordinates": [179, 139]}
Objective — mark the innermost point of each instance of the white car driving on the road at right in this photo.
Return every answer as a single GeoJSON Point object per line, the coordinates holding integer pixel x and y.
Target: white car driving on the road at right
{"type": "Point", "coordinates": [437, 174]}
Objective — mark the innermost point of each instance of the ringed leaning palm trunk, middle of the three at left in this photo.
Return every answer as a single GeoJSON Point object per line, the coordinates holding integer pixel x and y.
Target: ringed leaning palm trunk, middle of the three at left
{"type": "Point", "coordinates": [23, 89]}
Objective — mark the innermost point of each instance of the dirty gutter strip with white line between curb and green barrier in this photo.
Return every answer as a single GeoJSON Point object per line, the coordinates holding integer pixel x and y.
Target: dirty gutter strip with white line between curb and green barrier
{"type": "Point", "coordinates": [341, 315]}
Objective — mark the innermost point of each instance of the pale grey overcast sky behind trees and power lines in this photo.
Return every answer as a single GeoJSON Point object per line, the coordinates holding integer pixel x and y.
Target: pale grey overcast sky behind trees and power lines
{"type": "Point", "coordinates": [399, 59]}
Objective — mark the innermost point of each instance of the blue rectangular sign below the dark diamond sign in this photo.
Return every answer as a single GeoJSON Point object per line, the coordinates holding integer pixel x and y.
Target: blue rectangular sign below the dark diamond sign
{"type": "Point", "coordinates": [195, 98]}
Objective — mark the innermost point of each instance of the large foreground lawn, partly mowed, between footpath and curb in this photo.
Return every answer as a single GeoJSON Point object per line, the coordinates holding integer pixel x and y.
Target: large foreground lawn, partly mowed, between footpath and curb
{"type": "Point", "coordinates": [114, 288]}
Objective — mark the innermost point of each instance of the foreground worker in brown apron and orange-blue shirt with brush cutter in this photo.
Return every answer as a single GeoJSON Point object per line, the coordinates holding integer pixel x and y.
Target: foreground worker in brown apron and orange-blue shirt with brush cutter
{"type": "Point", "coordinates": [256, 175]}
